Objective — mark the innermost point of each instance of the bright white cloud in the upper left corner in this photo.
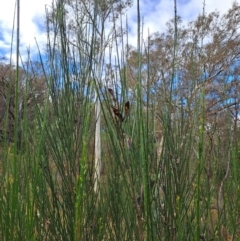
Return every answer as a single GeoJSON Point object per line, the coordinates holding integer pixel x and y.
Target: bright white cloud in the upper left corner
{"type": "Point", "coordinates": [32, 13]}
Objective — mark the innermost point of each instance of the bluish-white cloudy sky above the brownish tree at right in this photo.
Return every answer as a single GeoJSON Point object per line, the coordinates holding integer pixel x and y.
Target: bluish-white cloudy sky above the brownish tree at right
{"type": "Point", "coordinates": [156, 13]}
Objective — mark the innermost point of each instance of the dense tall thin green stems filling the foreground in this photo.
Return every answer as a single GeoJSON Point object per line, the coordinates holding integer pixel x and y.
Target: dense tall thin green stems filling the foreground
{"type": "Point", "coordinates": [152, 187]}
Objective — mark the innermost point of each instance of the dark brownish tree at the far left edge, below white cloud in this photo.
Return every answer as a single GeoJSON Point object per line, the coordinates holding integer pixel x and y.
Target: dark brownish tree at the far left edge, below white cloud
{"type": "Point", "coordinates": [32, 92]}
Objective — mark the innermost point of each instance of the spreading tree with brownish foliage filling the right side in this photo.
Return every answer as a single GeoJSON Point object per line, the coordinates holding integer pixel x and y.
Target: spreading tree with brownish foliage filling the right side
{"type": "Point", "coordinates": [204, 100]}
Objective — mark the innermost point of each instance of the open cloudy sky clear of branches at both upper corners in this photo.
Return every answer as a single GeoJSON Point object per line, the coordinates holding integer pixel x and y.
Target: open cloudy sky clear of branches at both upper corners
{"type": "Point", "coordinates": [154, 12]}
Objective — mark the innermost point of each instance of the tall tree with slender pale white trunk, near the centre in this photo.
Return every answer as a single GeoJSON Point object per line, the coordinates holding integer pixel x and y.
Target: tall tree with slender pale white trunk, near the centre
{"type": "Point", "coordinates": [94, 23]}
